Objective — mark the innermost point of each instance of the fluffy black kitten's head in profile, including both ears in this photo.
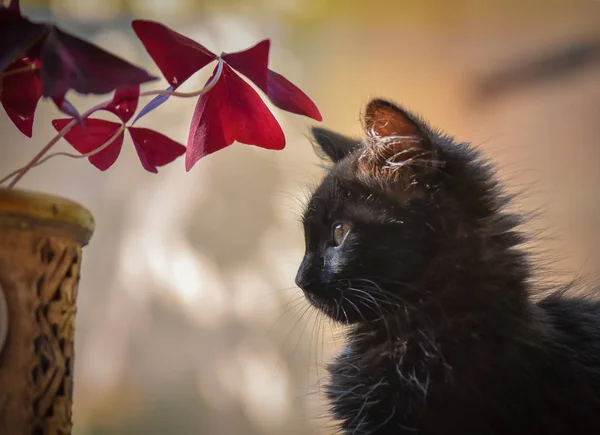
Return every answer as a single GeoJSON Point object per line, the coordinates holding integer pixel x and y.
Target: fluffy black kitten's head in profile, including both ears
{"type": "Point", "coordinates": [390, 206]}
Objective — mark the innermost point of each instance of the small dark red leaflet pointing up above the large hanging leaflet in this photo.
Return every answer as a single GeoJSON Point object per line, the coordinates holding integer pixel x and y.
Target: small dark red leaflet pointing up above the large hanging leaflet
{"type": "Point", "coordinates": [253, 63]}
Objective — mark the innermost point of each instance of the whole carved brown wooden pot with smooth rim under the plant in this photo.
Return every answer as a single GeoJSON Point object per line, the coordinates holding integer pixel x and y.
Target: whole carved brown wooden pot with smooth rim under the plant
{"type": "Point", "coordinates": [41, 237]}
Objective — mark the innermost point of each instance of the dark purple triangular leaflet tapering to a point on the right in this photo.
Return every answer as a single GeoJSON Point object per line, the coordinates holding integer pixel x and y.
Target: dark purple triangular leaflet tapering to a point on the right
{"type": "Point", "coordinates": [72, 63]}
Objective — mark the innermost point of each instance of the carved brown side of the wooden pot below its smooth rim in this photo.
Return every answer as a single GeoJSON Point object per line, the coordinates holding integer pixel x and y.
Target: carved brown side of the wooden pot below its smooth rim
{"type": "Point", "coordinates": [39, 274]}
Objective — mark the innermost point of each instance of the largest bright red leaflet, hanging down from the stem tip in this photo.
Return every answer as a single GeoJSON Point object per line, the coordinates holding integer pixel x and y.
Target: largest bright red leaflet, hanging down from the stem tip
{"type": "Point", "coordinates": [231, 111]}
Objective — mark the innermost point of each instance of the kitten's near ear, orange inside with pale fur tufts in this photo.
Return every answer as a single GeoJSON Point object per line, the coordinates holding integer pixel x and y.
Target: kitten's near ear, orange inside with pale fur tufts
{"type": "Point", "coordinates": [396, 144]}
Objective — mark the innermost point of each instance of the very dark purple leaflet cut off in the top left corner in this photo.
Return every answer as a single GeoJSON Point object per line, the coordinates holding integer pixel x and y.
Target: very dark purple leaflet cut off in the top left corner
{"type": "Point", "coordinates": [17, 35]}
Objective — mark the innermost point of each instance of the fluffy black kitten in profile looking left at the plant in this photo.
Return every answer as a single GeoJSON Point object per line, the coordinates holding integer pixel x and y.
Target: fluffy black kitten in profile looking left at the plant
{"type": "Point", "coordinates": [407, 242]}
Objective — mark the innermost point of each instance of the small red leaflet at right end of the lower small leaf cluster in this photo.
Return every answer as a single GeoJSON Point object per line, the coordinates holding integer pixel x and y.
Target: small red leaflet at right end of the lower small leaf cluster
{"type": "Point", "coordinates": [154, 149]}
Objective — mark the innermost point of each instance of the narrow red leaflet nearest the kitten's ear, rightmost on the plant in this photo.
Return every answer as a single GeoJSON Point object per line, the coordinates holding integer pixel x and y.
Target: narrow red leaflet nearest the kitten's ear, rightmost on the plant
{"type": "Point", "coordinates": [287, 96]}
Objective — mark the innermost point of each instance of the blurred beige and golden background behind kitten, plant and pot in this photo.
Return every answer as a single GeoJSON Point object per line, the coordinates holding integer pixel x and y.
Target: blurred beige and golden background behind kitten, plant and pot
{"type": "Point", "coordinates": [189, 321]}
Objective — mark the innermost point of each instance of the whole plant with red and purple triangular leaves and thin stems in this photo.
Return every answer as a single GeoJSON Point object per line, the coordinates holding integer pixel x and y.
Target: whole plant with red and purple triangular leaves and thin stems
{"type": "Point", "coordinates": [40, 60]}
